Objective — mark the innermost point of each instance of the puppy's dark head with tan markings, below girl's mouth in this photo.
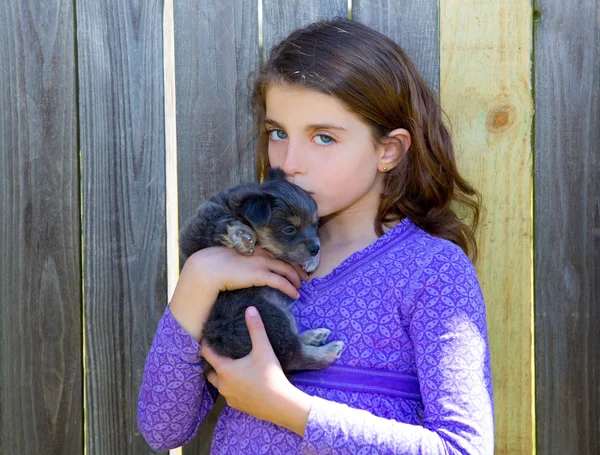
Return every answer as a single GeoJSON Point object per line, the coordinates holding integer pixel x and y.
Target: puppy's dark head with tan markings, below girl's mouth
{"type": "Point", "coordinates": [284, 217]}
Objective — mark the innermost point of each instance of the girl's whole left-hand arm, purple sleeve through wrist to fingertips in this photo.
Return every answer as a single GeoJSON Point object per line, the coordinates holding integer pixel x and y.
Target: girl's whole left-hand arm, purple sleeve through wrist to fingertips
{"type": "Point", "coordinates": [175, 396]}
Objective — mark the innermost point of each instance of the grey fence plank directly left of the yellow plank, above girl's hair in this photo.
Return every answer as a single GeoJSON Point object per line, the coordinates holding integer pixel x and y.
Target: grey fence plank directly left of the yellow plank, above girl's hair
{"type": "Point", "coordinates": [414, 24]}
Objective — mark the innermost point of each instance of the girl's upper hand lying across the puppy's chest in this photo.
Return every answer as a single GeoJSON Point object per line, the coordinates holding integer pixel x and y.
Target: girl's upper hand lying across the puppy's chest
{"type": "Point", "coordinates": [227, 270]}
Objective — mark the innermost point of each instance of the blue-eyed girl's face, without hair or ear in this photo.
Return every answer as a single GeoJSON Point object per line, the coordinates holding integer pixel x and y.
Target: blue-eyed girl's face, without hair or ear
{"type": "Point", "coordinates": [323, 148]}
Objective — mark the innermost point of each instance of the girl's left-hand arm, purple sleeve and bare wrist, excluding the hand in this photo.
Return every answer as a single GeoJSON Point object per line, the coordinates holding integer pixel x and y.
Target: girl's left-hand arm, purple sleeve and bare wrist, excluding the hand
{"type": "Point", "coordinates": [175, 396]}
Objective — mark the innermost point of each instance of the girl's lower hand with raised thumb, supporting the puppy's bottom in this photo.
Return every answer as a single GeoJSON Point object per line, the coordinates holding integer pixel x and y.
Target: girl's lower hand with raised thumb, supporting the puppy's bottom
{"type": "Point", "coordinates": [256, 384]}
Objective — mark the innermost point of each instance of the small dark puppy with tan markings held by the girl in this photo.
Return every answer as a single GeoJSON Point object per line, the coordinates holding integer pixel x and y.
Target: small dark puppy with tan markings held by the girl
{"type": "Point", "coordinates": [282, 218]}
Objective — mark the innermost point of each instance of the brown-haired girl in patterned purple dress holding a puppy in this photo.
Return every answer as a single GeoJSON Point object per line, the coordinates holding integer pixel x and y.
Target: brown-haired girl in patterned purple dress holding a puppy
{"type": "Point", "coordinates": [344, 112]}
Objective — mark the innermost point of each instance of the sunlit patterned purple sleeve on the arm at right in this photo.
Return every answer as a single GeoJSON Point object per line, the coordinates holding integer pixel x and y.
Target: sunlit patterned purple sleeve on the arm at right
{"type": "Point", "coordinates": [447, 326]}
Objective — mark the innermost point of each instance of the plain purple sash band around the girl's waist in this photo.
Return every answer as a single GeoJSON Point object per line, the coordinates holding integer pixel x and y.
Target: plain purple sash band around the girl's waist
{"type": "Point", "coordinates": [355, 379]}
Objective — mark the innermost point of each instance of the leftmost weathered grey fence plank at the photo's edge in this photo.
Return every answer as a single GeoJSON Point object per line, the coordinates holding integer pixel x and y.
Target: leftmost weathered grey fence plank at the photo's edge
{"type": "Point", "coordinates": [41, 410]}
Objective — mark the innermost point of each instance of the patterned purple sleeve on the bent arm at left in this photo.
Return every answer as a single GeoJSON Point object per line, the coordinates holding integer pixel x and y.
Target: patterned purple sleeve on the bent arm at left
{"type": "Point", "coordinates": [174, 396]}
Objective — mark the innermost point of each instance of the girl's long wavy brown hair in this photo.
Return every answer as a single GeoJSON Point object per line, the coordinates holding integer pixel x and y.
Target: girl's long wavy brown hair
{"type": "Point", "coordinates": [374, 78]}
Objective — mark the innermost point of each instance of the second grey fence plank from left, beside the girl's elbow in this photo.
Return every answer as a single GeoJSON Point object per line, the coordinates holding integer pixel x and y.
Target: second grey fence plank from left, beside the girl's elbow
{"type": "Point", "coordinates": [123, 199]}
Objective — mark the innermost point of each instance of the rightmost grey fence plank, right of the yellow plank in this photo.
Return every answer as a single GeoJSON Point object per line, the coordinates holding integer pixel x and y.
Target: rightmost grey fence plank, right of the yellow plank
{"type": "Point", "coordinates": [567, 226]}
